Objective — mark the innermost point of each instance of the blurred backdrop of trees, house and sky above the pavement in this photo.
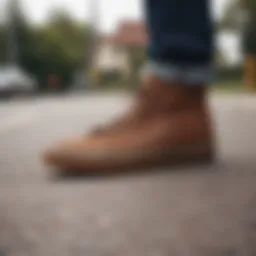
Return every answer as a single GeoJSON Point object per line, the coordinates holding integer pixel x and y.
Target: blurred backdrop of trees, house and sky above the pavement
{"type": "Point", "coordinates": [65, 45]}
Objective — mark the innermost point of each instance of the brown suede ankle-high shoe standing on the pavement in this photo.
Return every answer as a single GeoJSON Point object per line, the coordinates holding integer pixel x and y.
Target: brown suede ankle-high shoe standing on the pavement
{"type": "Point", "coordinates": [168, 123]}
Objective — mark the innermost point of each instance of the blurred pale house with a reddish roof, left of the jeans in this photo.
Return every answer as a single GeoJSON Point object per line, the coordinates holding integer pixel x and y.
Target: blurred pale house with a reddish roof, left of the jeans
{"type": "Point", "coordinates": [112, 54]}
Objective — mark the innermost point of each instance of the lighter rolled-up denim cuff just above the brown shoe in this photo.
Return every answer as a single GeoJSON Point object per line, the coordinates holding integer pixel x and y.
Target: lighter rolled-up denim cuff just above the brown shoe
{"type": "Point", "coordinates": [186, 74]}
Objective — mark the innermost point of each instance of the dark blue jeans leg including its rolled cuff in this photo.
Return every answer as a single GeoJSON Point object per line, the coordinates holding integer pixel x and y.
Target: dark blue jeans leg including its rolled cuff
{"type": "Point", "coordinates": [181, 40]}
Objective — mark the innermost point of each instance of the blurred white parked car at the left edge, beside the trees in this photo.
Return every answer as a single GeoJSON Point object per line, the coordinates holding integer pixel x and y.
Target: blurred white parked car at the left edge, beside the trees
{"type": "Point", "coordinates": [13, 81]}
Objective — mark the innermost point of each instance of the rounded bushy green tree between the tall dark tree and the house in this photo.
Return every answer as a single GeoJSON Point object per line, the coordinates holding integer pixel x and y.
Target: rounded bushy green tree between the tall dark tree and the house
{"type": "Point", "coordinates": [58, 47]}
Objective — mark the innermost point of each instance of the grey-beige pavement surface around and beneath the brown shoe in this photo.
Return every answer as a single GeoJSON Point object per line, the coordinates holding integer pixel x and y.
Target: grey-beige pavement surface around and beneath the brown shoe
{"type": "Point", "coordinates": [193, 210]}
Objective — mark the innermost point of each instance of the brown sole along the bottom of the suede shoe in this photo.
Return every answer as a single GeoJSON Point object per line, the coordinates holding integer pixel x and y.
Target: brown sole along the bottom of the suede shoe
{"type": "Point", "coordinates": [77, 164]}
